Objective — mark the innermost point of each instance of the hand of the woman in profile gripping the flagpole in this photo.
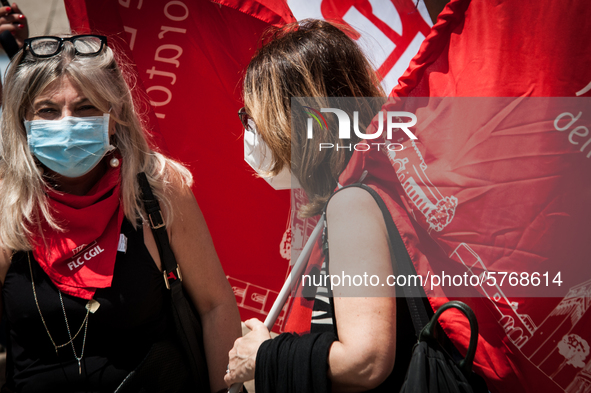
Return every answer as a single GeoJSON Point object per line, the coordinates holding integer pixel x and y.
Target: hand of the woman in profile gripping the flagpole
{"type": "Point", "coordinates": [243, 354]}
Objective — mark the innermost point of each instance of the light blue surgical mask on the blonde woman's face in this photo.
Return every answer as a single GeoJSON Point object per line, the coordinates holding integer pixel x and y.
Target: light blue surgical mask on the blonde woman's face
{"type": "Point", "coordinates": [71, 146]}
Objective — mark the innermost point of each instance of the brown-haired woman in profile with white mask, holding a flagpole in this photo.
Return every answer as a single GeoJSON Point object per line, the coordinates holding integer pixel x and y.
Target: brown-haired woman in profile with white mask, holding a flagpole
{"type": "Point", "coordinates": [369, 347]}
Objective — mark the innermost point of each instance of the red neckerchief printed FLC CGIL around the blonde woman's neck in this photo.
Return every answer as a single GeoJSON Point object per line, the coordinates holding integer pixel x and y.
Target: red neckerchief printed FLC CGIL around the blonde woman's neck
{"type": "Point", "coordinates": [82, 258]}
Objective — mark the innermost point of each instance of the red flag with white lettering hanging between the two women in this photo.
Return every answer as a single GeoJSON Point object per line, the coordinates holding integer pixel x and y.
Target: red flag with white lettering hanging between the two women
{"type": "Point", "coordinates": [195, 98]}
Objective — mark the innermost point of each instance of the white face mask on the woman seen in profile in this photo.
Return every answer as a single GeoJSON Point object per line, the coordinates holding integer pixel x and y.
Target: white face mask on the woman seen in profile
{"type": "Point", "coordinates": [258, 155]}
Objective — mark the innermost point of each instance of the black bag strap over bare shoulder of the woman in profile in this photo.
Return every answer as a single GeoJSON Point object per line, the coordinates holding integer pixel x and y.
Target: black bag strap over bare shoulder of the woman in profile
{"type": "Point", "coordinates": [400, 258]}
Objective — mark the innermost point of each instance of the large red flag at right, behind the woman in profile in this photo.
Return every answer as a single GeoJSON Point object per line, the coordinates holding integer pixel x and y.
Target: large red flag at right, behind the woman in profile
{"type": "Point", "coordinates": [531, 206]}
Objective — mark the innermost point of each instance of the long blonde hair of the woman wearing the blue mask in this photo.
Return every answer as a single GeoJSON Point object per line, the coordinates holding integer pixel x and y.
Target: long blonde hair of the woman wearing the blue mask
{"type": "Point", "coordinates": [23, 203]}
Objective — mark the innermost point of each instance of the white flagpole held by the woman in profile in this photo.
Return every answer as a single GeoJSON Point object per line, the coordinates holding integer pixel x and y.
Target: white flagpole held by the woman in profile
{"type": "Point", "coordinates": [296, 272]}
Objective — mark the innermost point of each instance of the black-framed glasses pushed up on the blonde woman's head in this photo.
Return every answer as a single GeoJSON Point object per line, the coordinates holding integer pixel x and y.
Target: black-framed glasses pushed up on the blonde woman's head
{"type": "Point", "coordinates": [48, 46]}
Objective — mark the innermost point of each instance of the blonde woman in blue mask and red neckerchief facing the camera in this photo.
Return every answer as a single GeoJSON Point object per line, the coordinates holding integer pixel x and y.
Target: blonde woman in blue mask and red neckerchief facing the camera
{"type": "Point", "coordinates": [82, 284]}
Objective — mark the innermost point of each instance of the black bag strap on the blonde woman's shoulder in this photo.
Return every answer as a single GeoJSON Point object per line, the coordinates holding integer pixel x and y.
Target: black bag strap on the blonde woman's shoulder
{"type": "Point", "coordinates": [170, 268]}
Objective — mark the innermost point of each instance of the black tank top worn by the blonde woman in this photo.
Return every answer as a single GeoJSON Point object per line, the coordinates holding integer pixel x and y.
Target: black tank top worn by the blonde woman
{"type": "Point", "coordinates": [130, 318]}
